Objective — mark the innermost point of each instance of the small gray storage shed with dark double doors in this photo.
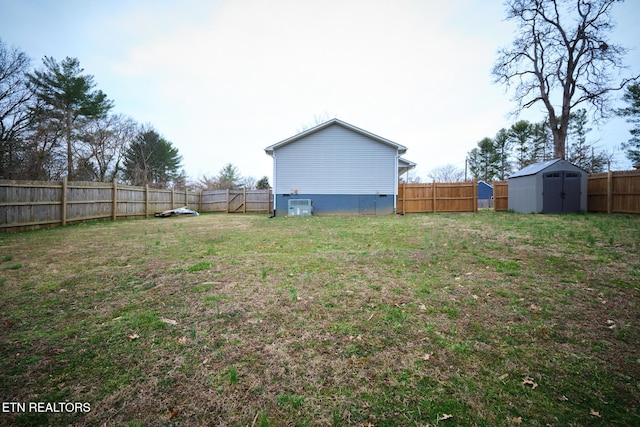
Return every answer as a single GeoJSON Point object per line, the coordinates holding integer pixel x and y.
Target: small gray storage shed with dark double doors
{"type": "Point", "coordinates": [555, 186]}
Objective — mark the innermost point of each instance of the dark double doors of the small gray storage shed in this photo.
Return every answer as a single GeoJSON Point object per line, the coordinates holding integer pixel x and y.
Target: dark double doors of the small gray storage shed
{"type": "Point", "coordinates": [561, 192]}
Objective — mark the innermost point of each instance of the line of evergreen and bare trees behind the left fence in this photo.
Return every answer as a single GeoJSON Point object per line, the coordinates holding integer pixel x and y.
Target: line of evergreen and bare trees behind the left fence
{"type": "Point", "coordinates": [54, 122]}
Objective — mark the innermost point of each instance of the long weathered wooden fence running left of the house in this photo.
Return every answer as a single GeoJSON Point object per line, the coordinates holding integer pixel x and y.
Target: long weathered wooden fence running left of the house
{"type": "Point", "coordinates": [25, 204]}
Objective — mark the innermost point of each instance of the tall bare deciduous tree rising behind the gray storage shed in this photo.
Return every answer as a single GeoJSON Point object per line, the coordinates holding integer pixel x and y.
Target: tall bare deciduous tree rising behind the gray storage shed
{"type": "Point", "coordinates": [561, 57]}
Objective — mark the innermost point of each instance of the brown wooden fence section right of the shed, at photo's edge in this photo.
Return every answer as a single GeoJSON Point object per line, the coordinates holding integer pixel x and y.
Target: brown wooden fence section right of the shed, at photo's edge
{"type": "Point", "coordinates": [614, 192]}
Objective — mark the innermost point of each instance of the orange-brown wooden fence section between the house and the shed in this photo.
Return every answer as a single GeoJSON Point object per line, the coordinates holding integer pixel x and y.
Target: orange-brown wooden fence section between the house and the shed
{"type": "Point", "coordinates": [438, 197]}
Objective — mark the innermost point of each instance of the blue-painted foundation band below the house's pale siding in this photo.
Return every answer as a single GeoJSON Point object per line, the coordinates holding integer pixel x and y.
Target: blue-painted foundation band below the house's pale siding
{"type": "Point", "coordinates": [340, 204]}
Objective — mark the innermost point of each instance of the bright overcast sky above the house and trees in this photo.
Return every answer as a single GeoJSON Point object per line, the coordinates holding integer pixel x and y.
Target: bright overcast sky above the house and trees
{"type": "Point", "coordinates": [222, 80]}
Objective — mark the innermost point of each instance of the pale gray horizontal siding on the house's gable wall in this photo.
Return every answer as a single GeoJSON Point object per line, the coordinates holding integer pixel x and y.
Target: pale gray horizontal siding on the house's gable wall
{"type": "Point", "coordinates": [336, 160]}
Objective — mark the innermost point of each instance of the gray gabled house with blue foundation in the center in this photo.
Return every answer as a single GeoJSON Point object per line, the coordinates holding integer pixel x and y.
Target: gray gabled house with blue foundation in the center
{"type": "Point", "coordinates": [338, 169]}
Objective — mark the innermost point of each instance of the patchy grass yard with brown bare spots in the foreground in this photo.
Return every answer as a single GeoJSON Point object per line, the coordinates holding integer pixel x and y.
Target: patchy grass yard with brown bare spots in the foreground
{"type": "Point", "coordinates": [489, 319]}
